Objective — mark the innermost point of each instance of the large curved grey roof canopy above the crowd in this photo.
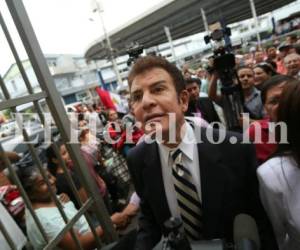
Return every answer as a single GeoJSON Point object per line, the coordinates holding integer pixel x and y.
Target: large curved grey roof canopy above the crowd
{"type": "Point", "coordinates": [183, 17]}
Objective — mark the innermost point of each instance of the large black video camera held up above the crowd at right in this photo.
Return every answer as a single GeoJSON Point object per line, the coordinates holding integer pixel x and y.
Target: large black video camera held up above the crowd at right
{"type": "Point", "coordinates": [224, 65]}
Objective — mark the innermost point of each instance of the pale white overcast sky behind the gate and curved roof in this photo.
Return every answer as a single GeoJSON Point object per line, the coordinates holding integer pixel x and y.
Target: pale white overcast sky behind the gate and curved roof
{"type": "Point", "coordinates": [68, 26]}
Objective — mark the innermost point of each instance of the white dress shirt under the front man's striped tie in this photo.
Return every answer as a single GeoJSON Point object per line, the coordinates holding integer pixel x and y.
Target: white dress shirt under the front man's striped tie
{"type": "Point", "coordinates": [190, 160]}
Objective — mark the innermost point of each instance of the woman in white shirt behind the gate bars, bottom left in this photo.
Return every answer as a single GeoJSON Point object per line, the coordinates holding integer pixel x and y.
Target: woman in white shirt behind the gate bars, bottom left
{"type": "Point", "coordinates": [50, 217]}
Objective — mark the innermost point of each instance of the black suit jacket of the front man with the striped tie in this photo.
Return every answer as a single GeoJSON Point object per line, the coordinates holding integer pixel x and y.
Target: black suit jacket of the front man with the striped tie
{"type": "Point", "coordinates": [228, 184]}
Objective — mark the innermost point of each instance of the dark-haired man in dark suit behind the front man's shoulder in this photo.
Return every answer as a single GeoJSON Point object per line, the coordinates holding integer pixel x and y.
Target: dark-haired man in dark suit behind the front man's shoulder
{"type": "Point", "coordinates": [199, 106]}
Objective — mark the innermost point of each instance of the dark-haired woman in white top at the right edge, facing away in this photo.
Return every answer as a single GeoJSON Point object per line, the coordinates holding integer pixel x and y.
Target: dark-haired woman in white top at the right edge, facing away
{"type": "Point", "coordinates": [279, 177]}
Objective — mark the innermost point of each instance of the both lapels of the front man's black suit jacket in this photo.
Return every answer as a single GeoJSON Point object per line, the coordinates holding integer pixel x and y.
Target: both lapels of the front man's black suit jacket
{"type": "Point", "coordinates": [212, 184]}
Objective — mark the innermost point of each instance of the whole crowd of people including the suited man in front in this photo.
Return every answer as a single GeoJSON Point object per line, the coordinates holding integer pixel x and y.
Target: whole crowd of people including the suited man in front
{"type": "Point", "coordinates": [205, 184]}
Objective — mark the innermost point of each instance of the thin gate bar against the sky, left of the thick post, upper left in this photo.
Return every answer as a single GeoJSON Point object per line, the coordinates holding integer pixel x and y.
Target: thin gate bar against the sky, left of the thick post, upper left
{"type": "Point", "coordinates": [20, 65]}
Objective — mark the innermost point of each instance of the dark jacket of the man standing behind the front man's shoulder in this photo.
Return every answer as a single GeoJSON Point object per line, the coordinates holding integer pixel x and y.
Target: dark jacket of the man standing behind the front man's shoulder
{"type": "Point", "coordinates": [205, 105]}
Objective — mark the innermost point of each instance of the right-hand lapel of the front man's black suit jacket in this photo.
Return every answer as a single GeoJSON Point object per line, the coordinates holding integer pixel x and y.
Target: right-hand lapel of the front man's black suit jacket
{"type": "Point", "coordinates": [212, 185]}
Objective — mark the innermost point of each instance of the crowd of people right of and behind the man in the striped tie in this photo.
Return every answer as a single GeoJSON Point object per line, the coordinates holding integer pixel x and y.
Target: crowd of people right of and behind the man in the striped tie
{"type": "Point", "coordinates": [269, 80]}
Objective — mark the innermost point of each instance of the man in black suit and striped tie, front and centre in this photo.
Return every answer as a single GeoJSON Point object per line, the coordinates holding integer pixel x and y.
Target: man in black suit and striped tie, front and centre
{"type": "Point", "coordinates": [207, 185]}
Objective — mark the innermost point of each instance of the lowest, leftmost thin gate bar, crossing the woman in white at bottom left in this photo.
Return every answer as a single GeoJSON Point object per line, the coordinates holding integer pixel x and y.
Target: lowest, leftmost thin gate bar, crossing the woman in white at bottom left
{"type": "Point", "coordinates": [17, 181]}
